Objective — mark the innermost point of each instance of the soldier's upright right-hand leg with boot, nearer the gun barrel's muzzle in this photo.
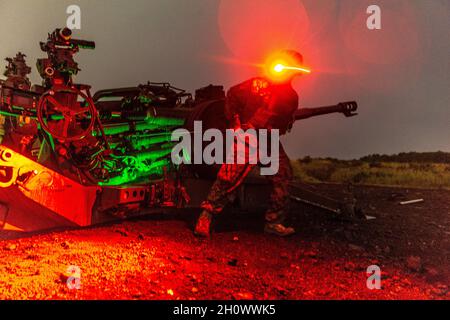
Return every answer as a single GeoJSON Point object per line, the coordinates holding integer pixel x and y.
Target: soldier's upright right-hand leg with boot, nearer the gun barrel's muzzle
{"type": "Point", "coordinates": [279, 198]}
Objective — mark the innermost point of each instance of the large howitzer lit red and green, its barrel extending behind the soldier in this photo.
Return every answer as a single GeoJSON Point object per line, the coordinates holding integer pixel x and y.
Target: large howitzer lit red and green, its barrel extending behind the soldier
{"type": "Point", "coordinates": [109, 152]}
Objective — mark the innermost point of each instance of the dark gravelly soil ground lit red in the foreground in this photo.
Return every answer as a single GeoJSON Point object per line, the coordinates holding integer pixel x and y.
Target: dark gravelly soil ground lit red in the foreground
{"type": "Point", "coordinates": [159, 258]}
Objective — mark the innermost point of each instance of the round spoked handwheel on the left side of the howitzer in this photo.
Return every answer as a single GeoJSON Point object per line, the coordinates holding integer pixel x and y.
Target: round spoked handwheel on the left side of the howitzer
{"type": "Point", "coordinates": [65, 118]}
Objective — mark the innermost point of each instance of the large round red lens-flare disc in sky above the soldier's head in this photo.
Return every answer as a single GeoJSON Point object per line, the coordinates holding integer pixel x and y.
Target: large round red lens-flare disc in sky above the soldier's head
{"type": "Point", "coordinates": [251, 29]}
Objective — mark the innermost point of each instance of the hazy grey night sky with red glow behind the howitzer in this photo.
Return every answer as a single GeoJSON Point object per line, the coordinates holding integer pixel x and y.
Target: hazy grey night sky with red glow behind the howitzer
{"type": "Point", "coordinates": [400, 75]}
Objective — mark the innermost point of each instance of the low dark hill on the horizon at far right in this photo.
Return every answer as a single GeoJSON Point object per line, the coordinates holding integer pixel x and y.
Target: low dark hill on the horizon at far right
{"type": "Point", "coordinates": [408, 157]}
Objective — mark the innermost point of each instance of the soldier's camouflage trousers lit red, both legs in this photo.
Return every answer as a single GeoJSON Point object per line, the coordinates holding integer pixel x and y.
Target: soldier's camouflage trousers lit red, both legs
{"type": "Point", "coordinates": [231, 176]}
